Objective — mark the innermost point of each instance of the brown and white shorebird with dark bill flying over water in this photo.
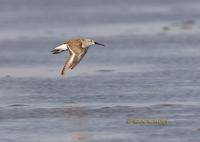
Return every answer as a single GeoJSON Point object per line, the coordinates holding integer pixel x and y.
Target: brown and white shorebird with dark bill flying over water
{"type": "Point", "coordinates": [77, 49]}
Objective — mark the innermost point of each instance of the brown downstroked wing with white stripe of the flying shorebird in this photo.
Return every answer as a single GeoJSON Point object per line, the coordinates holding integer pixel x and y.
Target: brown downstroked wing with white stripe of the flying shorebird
{"type": "Point", "coordinates": [72, 61]}
